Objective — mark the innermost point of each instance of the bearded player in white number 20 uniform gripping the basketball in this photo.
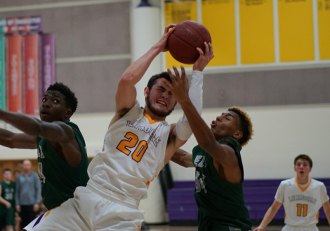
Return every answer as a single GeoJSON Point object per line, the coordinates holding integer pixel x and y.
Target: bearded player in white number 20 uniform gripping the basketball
{"type": "Point", "coordinates": [137, 145]}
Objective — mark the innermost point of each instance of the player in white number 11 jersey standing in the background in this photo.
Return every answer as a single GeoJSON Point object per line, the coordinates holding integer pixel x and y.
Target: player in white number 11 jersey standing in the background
{"type": "Point", "coordinates": [302, 198]}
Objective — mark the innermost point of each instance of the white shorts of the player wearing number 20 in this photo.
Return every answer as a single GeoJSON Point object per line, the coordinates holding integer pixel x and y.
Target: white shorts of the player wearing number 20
{"type": "Point", "coordinates": [89, 211]}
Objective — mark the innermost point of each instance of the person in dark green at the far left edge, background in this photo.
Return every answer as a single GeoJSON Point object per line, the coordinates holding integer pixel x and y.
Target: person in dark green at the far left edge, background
{"type": "Point", "coordinates": [7, 201]}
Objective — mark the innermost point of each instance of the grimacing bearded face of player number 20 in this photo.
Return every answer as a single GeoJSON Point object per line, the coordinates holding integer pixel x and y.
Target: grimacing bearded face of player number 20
{"type": "Point", "coordinates": [160, 99]}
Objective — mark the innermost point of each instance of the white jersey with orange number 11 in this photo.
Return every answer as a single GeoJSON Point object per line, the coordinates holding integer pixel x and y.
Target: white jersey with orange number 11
{"type": "Point", "coordinates": [301, 204]}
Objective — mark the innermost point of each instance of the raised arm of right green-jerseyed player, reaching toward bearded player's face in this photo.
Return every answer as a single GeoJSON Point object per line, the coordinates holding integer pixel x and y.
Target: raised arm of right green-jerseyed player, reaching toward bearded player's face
{"type": "Point", "coordinates": [224, 157]}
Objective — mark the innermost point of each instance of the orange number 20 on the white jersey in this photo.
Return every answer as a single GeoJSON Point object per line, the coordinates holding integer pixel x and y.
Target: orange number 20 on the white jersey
{"type": "Point", "coordinates": [132, 140]}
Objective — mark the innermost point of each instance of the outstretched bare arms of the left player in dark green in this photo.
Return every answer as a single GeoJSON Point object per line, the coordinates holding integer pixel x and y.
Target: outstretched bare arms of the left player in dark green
{"type": "Point", "coordinates": [59, 134]}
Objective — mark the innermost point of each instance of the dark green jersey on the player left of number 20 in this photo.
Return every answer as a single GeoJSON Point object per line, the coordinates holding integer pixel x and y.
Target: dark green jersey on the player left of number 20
{"type": "Point", "coordinates": [59, 179]}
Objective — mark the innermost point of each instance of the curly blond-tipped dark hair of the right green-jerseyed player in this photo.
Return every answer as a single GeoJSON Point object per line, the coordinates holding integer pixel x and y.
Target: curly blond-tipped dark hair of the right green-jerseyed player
{"type": "Point", "coordinates": [245, 125]}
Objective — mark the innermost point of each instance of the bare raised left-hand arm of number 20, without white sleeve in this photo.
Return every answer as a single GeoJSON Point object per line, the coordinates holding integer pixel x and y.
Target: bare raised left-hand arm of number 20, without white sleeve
{"type": "Point", "coordinates": [126, 91]}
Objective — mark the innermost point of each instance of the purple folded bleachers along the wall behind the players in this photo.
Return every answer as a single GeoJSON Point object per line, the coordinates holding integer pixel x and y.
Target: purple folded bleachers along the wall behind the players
{"type": "Point", "coordinates": [259, 195]}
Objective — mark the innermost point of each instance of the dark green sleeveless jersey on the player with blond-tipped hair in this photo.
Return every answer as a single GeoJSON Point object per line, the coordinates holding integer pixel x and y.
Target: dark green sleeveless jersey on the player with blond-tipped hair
{"type": "Point", "coordinates": [220, 203]}
